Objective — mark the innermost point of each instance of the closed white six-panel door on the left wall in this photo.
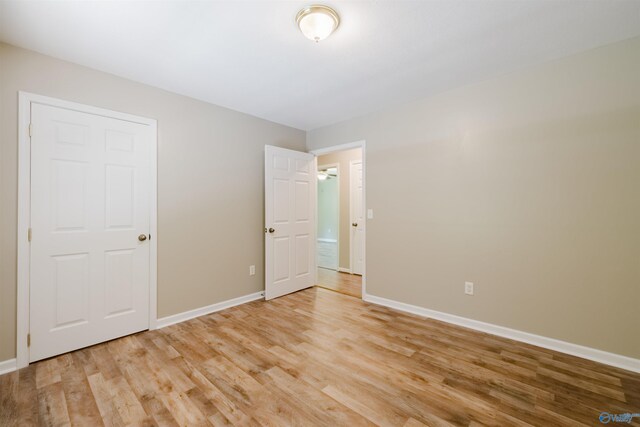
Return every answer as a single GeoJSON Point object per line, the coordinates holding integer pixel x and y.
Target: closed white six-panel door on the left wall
{"type": "Point", "coordinates": [90, 217]}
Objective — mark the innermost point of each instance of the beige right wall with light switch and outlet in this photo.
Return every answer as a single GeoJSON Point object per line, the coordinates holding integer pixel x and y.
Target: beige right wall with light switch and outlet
{"type": "Point", "coordinates": [527, 185]}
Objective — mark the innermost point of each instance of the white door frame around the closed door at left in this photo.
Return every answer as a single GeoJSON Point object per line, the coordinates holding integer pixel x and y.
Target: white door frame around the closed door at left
{"type": "Point", "coordinates": [25, 99]}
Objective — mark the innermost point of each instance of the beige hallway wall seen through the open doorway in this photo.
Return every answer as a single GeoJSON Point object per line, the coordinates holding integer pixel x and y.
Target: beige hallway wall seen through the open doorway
{"type": "Point", "coordinates": [342, 158]}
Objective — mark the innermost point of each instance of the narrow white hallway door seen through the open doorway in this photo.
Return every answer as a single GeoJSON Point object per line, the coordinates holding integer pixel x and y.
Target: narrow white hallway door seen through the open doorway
{"type": "Point", "coordinates": [358, 222]}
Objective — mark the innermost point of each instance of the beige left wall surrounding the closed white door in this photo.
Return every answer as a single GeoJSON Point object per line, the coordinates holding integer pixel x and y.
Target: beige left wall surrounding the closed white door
{"type": "Point", "coordinates": [210, 182]}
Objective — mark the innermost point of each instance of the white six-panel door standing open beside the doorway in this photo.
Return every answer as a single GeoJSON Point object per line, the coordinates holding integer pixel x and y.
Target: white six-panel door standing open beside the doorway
{"type": "Point", "coordinates": [290, 200]}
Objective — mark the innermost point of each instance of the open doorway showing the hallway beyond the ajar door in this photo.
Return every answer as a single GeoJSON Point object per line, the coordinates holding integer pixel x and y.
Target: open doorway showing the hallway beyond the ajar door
{"type": "Point", "coordinates": [341, 221]}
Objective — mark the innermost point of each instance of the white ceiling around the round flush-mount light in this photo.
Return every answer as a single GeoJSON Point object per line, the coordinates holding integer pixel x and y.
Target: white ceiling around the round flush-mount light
{"type": "Point", "coordinates": [250, 56]}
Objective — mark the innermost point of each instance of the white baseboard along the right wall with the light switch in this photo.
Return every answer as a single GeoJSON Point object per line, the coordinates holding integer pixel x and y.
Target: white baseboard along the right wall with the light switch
{"type": "Point", "coordinates": [617, 360]}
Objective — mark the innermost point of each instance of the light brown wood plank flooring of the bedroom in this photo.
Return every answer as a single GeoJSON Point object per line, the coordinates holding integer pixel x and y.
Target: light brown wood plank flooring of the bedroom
{"type": "Point", "coordinates": [315, 358]}
